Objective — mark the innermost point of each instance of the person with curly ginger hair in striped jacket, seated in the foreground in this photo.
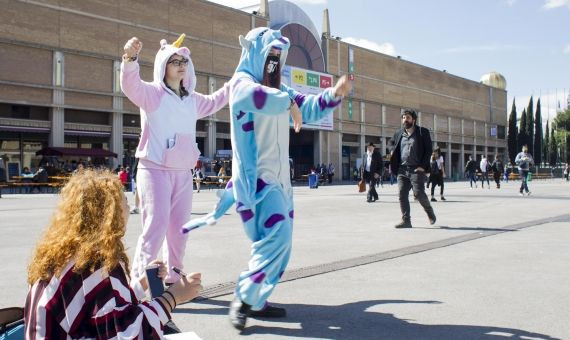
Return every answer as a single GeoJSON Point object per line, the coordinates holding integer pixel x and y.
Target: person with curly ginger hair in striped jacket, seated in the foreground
{"type": "Point", "coordinates": [82, 257]}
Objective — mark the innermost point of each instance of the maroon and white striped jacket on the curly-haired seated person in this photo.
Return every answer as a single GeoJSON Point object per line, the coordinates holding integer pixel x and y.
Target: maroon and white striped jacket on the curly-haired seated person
{"type": "Point", "coordinates": [95, 304]}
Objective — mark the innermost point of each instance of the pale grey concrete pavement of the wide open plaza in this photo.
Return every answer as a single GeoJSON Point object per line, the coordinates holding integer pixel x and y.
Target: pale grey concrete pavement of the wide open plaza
{"type": "Point", "coordinates": [494, 265]}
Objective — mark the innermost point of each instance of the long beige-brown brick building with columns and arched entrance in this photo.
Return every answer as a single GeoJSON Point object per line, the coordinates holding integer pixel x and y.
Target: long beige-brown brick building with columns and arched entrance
{"type": "Point", "coordinates": [59, 69]}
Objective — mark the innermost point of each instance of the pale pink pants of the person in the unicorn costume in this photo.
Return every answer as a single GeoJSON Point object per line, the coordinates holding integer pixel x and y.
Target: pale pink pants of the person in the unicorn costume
{"type": "Point", "coordinates": [166, 204]}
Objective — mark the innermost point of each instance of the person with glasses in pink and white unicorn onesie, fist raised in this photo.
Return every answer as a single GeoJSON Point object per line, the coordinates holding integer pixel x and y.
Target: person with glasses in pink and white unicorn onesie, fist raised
{"type": "Point", "coordinates": [167, 151]}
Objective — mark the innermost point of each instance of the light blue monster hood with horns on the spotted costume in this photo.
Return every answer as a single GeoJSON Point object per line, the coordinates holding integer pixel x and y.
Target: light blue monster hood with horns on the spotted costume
{"type": "Point", "coordinates": [256, 46]}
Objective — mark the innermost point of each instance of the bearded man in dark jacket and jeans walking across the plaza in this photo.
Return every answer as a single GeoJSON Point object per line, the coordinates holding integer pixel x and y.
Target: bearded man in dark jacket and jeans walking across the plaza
{"type": "Point", "coordinates": [410, 160]}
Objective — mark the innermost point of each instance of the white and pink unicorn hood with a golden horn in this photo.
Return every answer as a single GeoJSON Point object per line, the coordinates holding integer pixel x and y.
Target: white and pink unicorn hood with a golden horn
{"type": "Point", "coordinates": [164, 53]}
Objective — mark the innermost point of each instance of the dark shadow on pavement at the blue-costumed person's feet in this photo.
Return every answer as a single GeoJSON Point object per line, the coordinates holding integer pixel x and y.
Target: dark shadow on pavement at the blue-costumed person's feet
{"type": "Point", "coordinates": [354, 321]}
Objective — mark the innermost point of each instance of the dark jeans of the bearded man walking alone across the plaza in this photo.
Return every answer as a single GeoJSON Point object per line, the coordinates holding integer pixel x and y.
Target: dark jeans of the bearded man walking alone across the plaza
{"type": "Point", "coordinates": [408, 179]}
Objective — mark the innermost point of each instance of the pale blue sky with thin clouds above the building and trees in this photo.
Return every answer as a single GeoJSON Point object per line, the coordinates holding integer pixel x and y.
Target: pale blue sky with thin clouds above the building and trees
{"type": "Point", "coordinates": [528, 41]}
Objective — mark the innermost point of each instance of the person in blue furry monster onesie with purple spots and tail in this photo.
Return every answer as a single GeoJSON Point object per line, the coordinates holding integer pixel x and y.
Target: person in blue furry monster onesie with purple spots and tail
{"type": "Point", "coordinates": [260, 184]}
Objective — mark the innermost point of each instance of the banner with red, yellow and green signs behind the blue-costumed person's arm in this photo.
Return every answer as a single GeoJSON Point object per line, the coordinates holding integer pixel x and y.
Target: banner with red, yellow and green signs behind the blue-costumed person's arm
{"type": "Point", "coordinates": [309, 82]}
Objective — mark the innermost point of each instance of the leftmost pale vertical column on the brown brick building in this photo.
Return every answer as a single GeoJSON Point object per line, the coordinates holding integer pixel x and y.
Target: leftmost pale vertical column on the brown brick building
{"type": "Point", "coordinates": [57, 113]}
